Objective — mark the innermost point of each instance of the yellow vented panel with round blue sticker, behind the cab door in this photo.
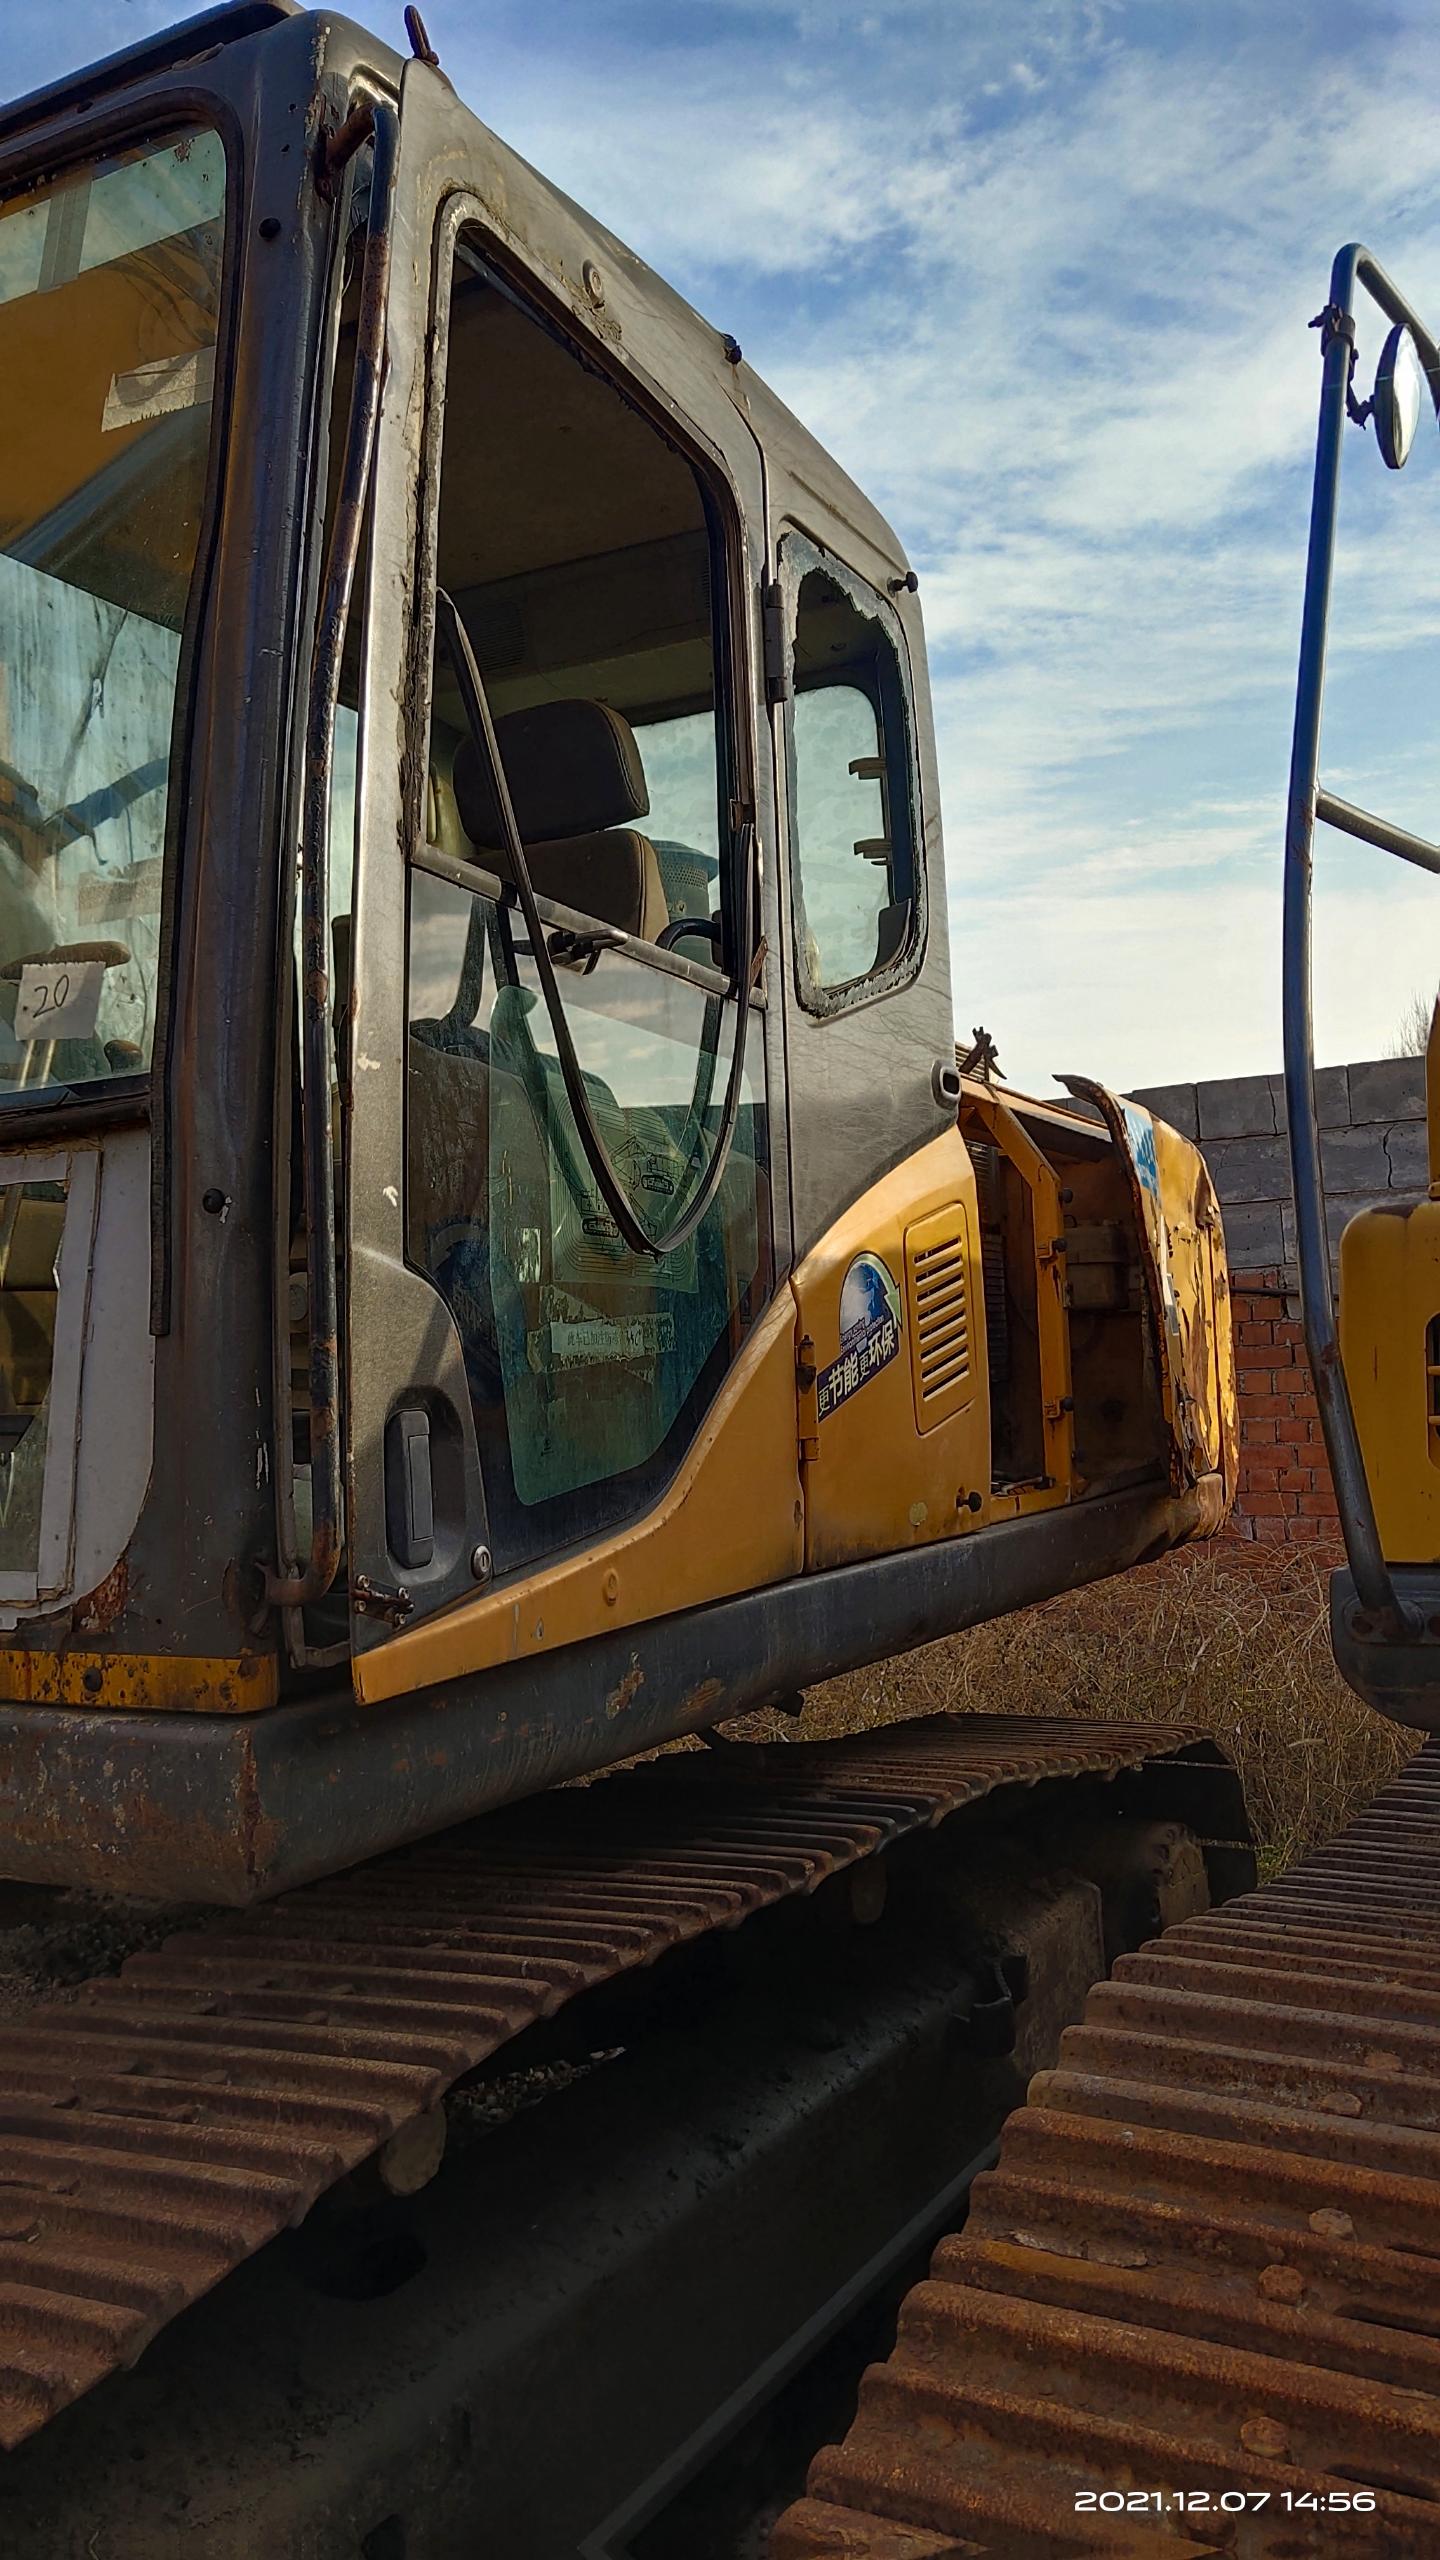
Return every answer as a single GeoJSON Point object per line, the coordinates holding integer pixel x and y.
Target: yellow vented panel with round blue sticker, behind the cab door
{"type": "Point", "coordinates": [888, 1468]}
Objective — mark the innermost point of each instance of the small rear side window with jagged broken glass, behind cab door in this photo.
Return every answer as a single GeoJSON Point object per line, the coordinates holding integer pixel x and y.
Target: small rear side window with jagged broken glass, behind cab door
{"type": "Point", "coordinates": [852, 800]}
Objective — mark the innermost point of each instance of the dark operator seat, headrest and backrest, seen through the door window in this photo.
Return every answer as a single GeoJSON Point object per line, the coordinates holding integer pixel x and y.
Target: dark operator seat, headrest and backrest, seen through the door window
{"type": "Point", "coordinates": [578, 787]}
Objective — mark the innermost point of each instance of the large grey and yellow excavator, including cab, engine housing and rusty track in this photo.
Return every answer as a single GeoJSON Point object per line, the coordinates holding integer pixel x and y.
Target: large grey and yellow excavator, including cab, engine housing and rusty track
{"type": "Point", "coordinates": [503, 1268]}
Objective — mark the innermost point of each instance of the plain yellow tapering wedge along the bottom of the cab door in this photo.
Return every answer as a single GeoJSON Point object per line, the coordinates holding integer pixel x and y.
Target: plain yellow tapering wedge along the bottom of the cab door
{"type": "Point", "coordinates": [732, 1522]}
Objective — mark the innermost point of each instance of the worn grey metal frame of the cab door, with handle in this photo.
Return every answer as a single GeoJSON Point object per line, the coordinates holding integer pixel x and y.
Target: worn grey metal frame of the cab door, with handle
{"type": "Point", "coordinates": [455, 175]}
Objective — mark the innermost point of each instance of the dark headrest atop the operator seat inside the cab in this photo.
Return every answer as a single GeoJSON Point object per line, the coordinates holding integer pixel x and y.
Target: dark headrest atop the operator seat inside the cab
{"type": "Point", "coordinates": [573, 769]}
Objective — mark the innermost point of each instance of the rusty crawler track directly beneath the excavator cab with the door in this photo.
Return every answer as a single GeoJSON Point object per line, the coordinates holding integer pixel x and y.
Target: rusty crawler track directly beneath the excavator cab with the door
{"type": "Point", "coordinates": [173, 2118]}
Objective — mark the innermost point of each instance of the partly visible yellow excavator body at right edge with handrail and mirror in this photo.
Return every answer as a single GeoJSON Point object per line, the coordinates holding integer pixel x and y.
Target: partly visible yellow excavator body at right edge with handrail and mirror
{"type": "Point", "coordinates": [1377, 1358]}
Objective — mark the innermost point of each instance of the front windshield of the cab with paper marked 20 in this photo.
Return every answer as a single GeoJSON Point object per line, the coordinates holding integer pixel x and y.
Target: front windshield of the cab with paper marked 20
{"type": "Point", "coordinates": [109, 311]}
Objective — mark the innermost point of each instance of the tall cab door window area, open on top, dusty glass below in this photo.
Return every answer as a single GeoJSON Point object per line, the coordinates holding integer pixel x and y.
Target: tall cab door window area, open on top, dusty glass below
{"type": "Point", "coordinates": [585, 562]}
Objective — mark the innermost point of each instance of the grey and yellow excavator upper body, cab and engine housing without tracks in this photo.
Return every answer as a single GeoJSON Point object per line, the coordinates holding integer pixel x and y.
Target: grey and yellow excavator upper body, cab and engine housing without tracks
{"type": "Point", "coordinates": [498, 1261]}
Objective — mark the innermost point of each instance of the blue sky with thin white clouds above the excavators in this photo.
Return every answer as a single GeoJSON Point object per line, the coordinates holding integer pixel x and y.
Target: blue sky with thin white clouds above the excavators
{"type": "Point", "coordinates": [1042, 278]}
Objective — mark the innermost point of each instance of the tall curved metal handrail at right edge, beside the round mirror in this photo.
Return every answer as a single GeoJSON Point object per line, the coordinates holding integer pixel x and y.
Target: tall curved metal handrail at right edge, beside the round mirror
{"type": "Point", "coordinates": [1375, 1586]}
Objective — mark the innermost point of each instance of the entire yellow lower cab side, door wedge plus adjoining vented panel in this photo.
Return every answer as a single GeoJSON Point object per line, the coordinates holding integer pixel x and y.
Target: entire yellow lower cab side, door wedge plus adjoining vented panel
{"type": "Point", "coordinates": [888, 1468]}
